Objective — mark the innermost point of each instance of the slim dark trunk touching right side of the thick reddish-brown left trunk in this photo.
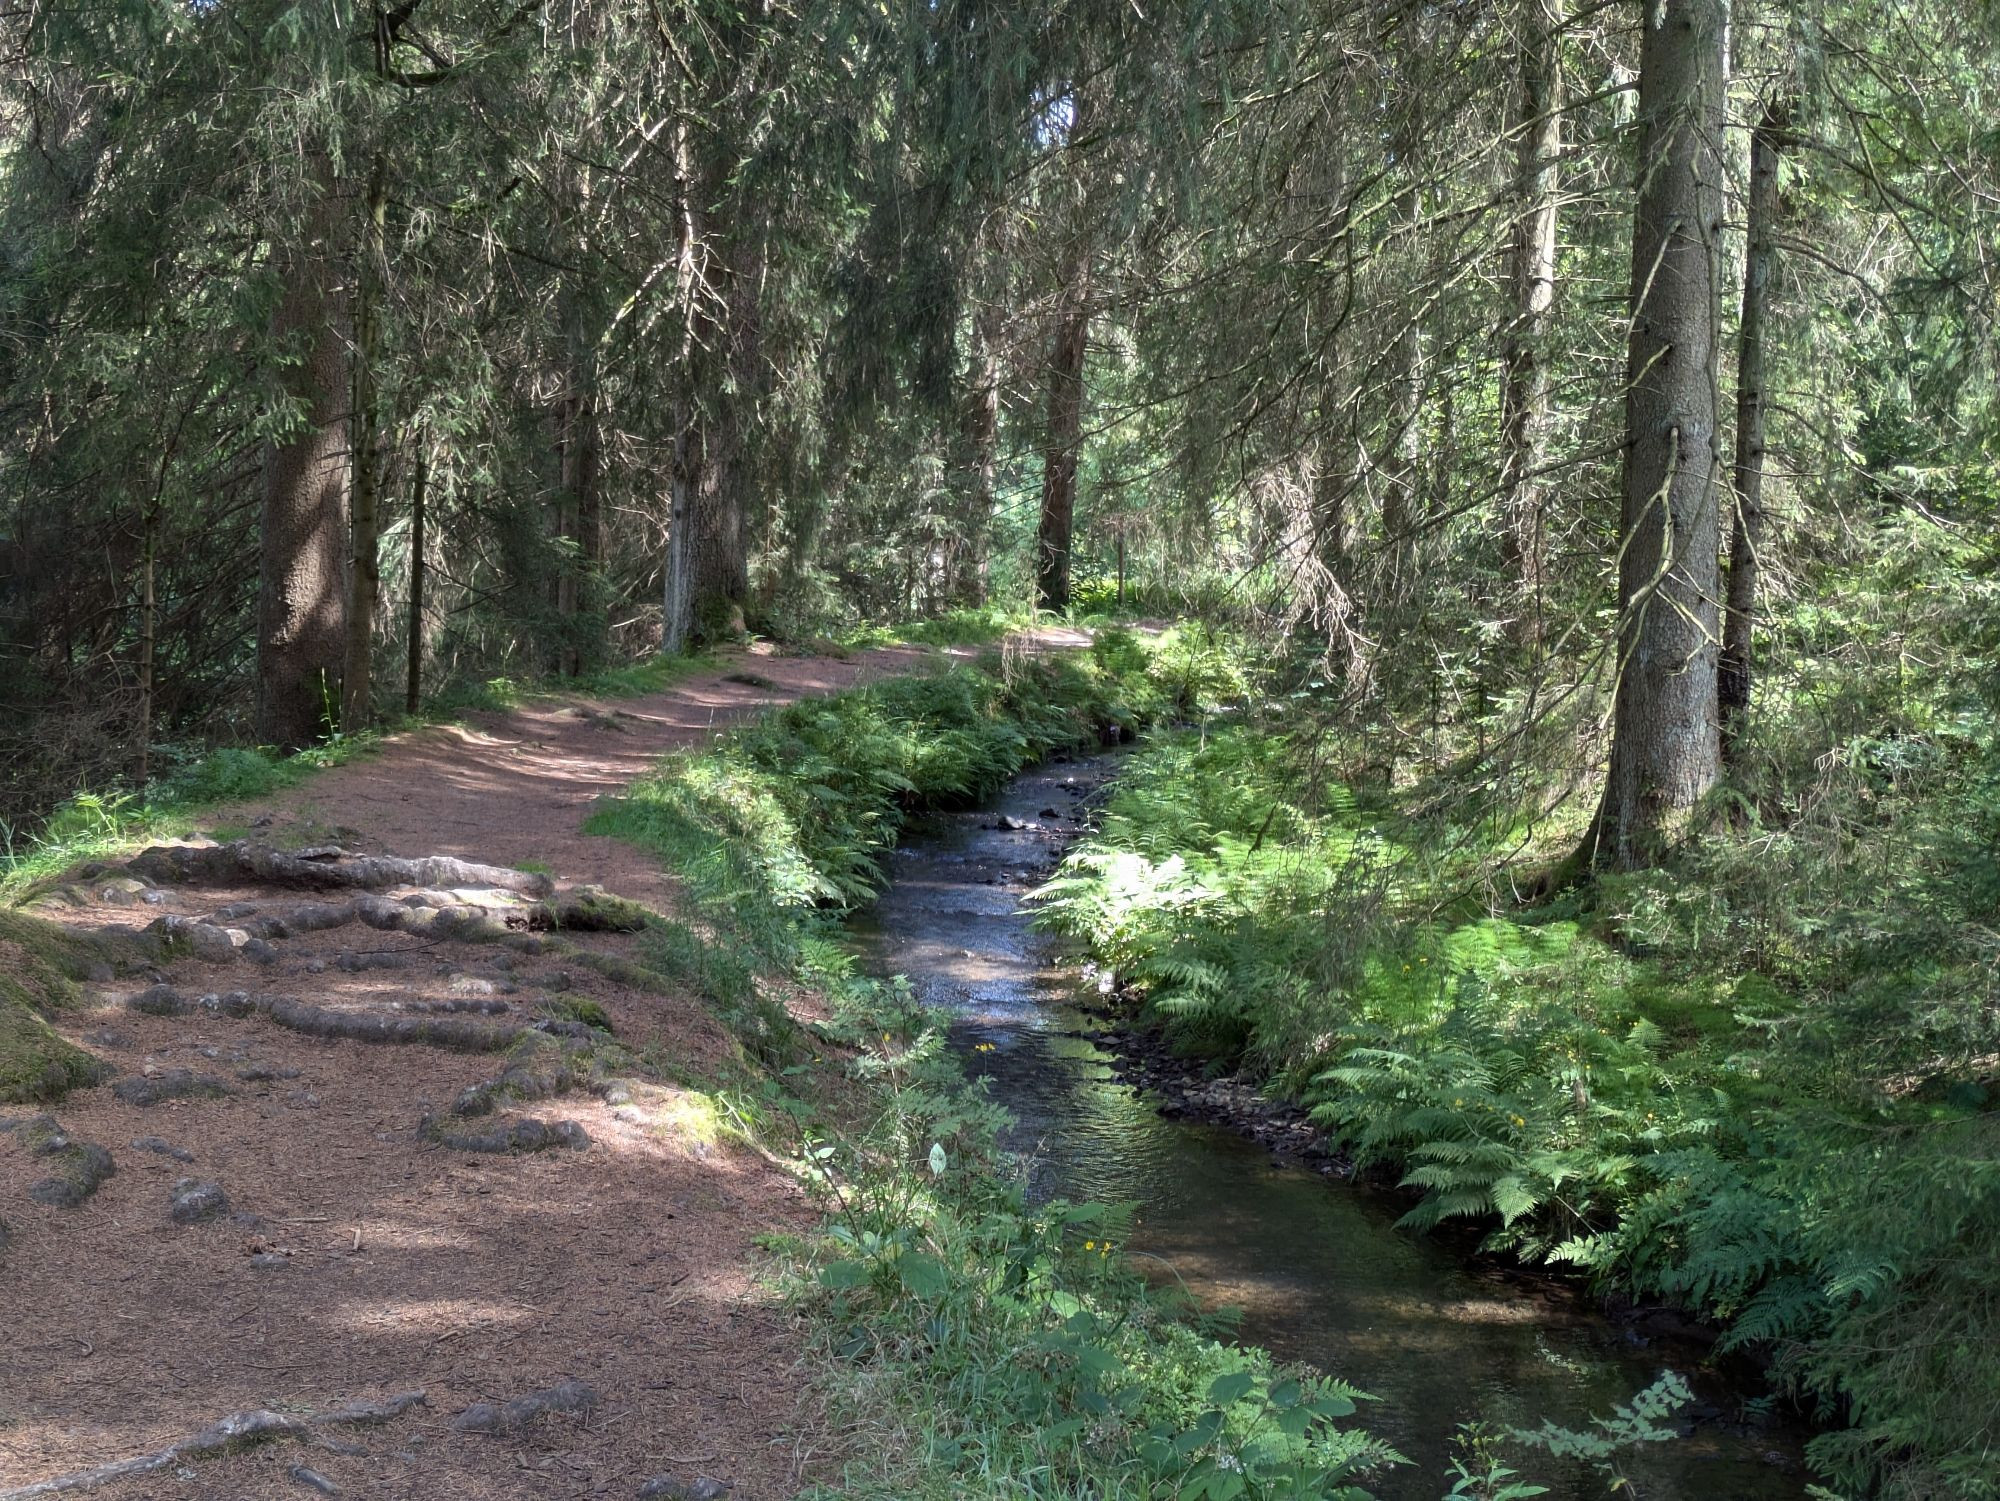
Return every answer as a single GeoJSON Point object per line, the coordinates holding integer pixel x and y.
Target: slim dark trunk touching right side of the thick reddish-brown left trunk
{"type": "Point", "coordinates": [365, 569]}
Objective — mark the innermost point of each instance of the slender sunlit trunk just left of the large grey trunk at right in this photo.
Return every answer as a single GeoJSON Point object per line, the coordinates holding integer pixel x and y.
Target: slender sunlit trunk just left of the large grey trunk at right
{"type": "Point", "coordinates": [1525, 391]}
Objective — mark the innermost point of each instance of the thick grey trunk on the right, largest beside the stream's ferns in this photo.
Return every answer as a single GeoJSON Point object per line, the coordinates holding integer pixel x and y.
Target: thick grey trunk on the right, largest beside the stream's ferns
{"type": "Point", "coordinates": [1667, 747]}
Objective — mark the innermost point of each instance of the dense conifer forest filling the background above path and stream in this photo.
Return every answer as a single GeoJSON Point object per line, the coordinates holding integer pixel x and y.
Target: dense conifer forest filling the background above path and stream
{"type": "Point", "coordinates": [357, 355]}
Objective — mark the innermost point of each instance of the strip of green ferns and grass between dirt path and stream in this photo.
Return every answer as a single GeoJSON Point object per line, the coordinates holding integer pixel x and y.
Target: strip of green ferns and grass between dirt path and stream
{"type": "Point", "coordinates": [971, 1344]}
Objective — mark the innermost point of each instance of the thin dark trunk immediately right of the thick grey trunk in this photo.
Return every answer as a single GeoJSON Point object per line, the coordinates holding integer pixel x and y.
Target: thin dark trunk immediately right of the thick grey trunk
{"type": "Point", "coordinates": [1747, 533]}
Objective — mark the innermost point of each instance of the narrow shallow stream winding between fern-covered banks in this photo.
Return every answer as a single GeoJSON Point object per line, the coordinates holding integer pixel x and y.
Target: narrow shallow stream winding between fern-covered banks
{"type": "Point", "coordinates": [1317, 1266]}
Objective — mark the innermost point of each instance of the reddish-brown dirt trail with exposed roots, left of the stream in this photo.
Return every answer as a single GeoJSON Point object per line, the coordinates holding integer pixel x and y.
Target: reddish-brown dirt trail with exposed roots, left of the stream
{"type": "Point", "coordinates": [357, 1258]}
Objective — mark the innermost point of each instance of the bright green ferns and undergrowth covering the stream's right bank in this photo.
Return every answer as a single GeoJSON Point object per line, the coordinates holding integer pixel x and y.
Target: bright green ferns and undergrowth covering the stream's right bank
{"type": "Point", "coordinates": [1781, 1118]}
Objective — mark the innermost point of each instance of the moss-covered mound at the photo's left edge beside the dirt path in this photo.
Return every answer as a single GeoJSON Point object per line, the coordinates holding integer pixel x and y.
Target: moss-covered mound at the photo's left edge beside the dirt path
{"type": "Point", "coordinates": [41, 966]}
